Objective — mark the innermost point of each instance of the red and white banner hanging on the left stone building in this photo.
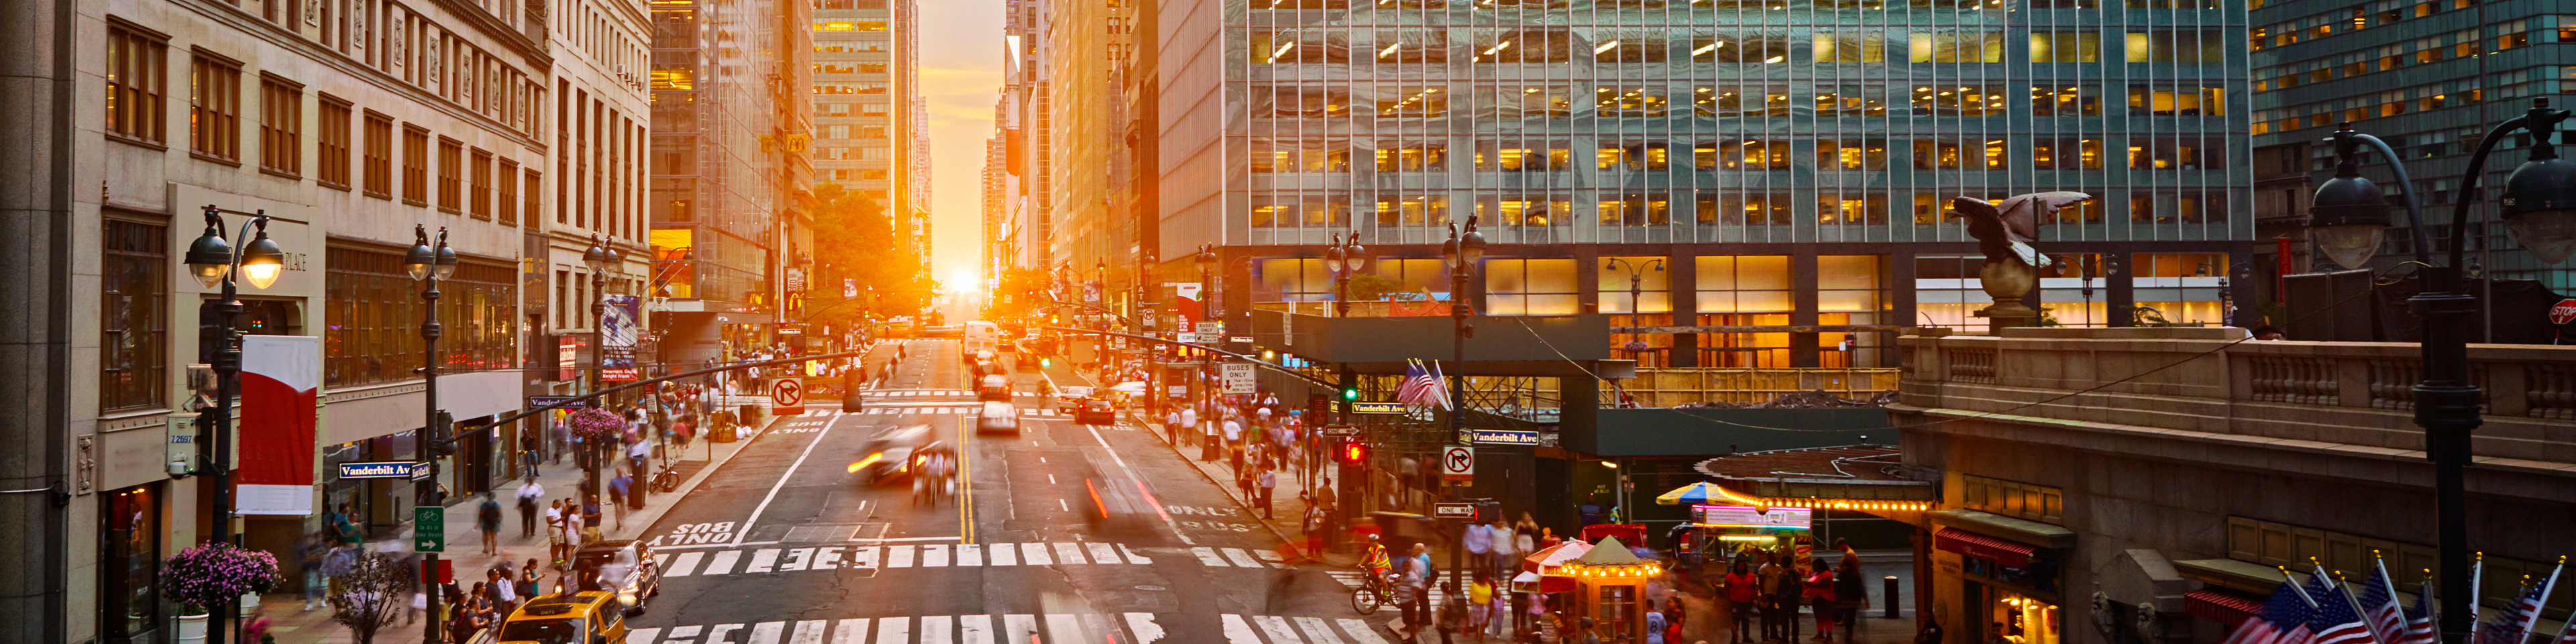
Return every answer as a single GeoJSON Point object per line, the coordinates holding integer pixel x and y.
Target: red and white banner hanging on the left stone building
{"type": "Point", "coordinates": [282, 375]}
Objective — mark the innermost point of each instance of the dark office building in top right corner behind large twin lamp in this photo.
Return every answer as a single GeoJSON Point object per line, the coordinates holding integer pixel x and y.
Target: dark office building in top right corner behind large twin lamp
{"type": "Point", "coordinates": [2430, 79]}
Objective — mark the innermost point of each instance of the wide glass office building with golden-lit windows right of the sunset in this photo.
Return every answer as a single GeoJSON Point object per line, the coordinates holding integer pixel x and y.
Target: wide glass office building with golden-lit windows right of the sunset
{"type": "Point", "coordinates": [1786, 161]}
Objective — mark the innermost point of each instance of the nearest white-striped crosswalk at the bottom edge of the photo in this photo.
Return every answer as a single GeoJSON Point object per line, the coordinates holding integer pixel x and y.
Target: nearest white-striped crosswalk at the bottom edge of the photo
{"type": "Point", "coordinates": [1009, 630]}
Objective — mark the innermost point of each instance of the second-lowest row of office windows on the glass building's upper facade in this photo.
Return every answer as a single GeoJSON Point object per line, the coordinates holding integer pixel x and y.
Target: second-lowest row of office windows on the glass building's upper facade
{"type": "Point", "coordinates": [1956, 153]}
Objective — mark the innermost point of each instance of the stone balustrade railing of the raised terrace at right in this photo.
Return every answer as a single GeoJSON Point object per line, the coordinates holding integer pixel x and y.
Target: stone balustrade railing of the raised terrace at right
{"type": "Point", "coordinates": [2206, 380]}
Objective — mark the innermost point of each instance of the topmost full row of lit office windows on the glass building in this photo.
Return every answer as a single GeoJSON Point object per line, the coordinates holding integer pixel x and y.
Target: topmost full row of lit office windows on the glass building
{"type": "Point", "coordinates": [1779, 48]}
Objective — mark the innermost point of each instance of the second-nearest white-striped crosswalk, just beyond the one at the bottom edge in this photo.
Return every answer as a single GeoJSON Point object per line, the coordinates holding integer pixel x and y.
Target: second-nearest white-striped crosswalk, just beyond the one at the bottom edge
{"type": "Point", "coordinates": [939, 555]}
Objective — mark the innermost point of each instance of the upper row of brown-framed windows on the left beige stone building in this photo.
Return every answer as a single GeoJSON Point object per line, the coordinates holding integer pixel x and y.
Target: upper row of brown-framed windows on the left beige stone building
{"type": "Point", "coordinates": [468, 182]}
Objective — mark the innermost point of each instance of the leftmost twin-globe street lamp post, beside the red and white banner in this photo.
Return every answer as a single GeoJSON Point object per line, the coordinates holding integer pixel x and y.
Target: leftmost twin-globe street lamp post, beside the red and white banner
{"type": "Point", "coordinates": [218, 267]}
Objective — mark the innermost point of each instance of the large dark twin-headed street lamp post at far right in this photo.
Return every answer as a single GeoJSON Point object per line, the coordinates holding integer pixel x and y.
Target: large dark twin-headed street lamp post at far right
{"type": "Point", "coordinates": [2351, 220]}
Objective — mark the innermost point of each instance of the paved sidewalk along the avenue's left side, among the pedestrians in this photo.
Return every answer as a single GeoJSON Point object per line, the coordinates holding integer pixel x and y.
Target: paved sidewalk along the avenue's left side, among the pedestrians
{"type": "Point", "coordinates": [697, 462]}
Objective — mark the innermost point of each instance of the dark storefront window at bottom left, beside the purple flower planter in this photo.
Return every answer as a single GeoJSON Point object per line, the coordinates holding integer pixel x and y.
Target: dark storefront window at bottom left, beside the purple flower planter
{"type": "Point", "coordinates": [130, 565]}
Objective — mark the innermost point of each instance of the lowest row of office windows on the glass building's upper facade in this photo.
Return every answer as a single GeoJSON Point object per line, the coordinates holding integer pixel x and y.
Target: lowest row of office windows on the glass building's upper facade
{"type": "Point", "coordinates": [1699, 207]}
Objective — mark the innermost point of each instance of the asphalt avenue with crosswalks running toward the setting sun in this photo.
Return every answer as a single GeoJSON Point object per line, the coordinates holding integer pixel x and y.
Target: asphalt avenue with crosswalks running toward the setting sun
{"type": "Point", "coordinates": [787, 547]}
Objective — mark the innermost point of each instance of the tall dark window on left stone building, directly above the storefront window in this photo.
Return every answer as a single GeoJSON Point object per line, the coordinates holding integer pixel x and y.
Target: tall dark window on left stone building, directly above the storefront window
{"type": "Point", "coordinates": [133, 316]}
